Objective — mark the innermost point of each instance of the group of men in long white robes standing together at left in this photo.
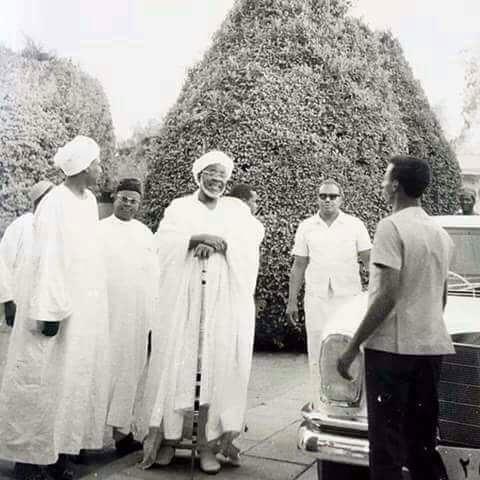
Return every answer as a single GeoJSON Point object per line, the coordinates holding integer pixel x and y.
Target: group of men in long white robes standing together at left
{"type": "Point", "coordinates": [92, 297]}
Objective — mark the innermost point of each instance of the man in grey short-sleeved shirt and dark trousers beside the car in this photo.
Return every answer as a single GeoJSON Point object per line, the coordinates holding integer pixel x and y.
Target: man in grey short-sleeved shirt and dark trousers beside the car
{"type": "Point", "coordinates": [403, 331]}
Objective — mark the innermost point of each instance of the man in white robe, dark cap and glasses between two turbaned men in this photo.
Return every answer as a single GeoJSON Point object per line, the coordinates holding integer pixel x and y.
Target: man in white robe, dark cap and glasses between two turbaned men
{"type": "Point", "coordinates": [132, 276]}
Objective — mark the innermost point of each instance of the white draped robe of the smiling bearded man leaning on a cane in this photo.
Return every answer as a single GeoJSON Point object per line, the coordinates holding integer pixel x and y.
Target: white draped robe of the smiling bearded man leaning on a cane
{"type": "Point", "coordinates": [229, 321]}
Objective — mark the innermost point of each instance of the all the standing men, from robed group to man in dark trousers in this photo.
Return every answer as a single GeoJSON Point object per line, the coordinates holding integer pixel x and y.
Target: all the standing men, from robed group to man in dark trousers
{"type": "Point", "coordinates": [108, 316]}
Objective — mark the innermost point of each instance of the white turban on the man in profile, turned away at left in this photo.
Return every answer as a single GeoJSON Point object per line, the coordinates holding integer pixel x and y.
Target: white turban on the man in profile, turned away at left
{"type": "Point", "coordinates": [77, 155]}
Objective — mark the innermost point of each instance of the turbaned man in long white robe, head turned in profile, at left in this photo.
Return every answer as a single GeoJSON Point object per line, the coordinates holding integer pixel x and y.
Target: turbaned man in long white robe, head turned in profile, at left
{"type": "Point", "coordinates": [54, 393]}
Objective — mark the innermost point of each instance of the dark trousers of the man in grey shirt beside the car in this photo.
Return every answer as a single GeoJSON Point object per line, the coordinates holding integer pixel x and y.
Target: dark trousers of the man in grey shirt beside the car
{"type": "Point", "coordinates": [402, 400]}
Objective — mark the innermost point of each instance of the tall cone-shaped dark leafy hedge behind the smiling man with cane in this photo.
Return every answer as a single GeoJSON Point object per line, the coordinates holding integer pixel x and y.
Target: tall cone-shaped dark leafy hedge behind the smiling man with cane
{"type": "Point", "coordinates": [296, 91]}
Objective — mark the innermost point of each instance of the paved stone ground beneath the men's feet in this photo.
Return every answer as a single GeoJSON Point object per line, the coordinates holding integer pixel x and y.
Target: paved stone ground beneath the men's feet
{"type": "Point", "coordinates": [278, 390]}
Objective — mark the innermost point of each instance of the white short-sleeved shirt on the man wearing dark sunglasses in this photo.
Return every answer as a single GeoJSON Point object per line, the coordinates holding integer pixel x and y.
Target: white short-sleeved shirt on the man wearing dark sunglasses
{"type": "Point", "coordinates": [333, 254]}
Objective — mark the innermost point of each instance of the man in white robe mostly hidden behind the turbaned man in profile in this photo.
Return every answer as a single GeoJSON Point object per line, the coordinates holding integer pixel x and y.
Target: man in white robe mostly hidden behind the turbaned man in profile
{"type": "Point", "coordinates": [18, 236]}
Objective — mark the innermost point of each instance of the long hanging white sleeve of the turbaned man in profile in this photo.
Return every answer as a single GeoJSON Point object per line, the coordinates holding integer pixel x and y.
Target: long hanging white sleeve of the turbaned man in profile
{"type": "Point", "coordinates": [49, 300]}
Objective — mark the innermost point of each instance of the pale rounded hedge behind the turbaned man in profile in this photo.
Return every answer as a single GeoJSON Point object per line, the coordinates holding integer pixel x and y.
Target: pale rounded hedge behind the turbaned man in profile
{"type": "Point", "coordinates": [44, 102]}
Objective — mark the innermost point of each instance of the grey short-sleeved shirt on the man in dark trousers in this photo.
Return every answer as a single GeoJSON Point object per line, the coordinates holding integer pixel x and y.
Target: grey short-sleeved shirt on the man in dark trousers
{"type": "Point", "coordinates": [411, 242]}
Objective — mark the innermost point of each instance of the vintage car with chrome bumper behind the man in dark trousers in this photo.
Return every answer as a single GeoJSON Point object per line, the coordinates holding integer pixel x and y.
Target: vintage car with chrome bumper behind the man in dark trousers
{"type": "Point", "coordinates": [336, 430]}
